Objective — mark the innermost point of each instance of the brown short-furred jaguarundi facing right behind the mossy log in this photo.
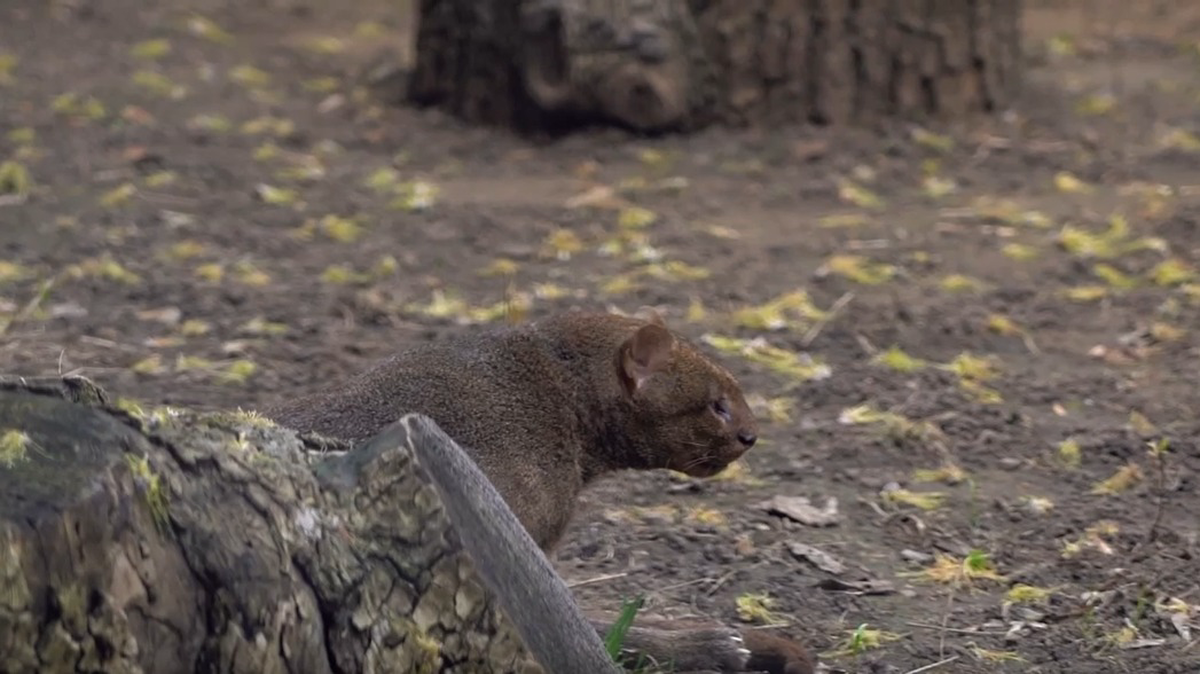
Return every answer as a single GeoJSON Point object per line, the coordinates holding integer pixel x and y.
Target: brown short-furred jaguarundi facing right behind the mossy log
{"type": "Point", "coordinates": [550, 407]}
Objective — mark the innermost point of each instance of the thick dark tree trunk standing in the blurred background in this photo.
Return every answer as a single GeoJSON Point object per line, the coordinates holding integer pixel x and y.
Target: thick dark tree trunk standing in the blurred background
{"type": "Point", "coordinates": [658, 65]}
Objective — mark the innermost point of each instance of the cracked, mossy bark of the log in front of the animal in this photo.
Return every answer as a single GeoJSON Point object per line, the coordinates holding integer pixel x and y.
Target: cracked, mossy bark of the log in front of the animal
{"type": "Point", "coordinates": [173, 541]}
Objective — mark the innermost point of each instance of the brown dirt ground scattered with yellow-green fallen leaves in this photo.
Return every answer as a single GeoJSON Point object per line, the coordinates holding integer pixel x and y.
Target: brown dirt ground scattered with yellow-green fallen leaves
{"type": "Point", "coordinates": [987, 347]}
